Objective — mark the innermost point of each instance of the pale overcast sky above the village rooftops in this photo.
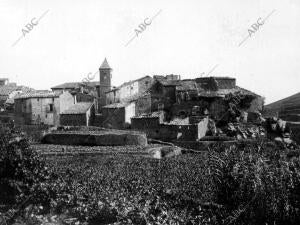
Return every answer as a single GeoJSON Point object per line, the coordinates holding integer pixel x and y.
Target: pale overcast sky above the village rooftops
{"type": "Point", "coordinates": [187, 37]}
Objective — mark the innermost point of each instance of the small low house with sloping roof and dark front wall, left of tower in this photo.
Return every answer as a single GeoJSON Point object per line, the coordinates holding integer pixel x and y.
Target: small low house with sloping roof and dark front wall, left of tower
{"type": "Point", "coordinates": [79, 114]}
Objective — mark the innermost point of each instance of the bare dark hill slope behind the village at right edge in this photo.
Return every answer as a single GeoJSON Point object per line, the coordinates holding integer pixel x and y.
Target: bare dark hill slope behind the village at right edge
{"type": "Point", "coordinates": [287, 108]}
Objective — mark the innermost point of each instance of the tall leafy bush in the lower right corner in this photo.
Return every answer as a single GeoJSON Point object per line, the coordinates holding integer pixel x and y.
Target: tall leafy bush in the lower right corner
{"type": "Point", "coordinates": [255, 184]}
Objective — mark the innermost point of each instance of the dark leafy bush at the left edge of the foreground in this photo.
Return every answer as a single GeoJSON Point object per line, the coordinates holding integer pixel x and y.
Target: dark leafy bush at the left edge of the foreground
{"type": "Point", "coordinates": [22, 171]}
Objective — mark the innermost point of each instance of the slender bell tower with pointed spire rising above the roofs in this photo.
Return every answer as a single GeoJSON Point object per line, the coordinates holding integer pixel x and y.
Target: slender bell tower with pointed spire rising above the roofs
{"type": "Point", "coordinates": [105, 82]}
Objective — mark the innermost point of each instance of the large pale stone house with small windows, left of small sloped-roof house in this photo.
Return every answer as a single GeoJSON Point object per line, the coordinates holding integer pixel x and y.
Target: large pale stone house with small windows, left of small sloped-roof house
{"type": "Point", "coordinates": [41, 107]}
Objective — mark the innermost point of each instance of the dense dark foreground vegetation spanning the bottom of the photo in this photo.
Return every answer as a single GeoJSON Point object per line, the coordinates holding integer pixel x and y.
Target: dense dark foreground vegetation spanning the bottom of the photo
{"type": "Point", "coordinates": [257, 183]}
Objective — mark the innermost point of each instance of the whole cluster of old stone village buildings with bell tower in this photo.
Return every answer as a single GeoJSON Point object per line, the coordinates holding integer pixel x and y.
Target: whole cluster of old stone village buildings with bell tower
{"type": "Point", "coordinates": [165, 107]}
